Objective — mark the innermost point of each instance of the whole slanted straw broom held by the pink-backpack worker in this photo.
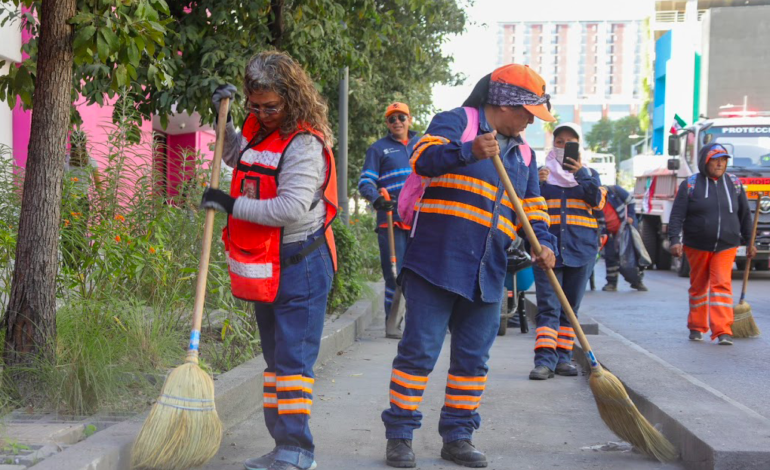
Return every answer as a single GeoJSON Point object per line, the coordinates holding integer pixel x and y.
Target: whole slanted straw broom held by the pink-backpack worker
{"type": "Point", "coordinates": [615, 407]}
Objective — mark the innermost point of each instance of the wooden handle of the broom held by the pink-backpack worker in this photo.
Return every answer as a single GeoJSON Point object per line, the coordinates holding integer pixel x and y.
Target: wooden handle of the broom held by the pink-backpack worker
{"type": "Point", "coordinates": [522, 217]}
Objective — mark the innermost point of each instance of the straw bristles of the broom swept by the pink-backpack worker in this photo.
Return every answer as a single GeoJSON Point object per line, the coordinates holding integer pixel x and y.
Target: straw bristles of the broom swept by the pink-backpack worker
{"type": "Point", "coordinates": [624, 419]}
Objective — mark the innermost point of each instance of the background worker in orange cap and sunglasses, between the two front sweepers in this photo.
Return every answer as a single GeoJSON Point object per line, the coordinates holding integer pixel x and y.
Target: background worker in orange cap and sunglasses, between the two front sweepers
{"type": "Point", "coordinates": [387, 166]}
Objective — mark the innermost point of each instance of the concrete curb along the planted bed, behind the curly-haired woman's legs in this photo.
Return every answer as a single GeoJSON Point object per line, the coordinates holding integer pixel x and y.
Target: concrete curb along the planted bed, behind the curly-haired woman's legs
{"type": "Point", "coordinates": [238, 394]}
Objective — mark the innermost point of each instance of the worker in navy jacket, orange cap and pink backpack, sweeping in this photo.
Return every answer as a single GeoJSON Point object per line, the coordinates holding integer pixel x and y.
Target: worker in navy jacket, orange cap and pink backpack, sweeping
{"type": "Point", "coordinates": [455, 263]}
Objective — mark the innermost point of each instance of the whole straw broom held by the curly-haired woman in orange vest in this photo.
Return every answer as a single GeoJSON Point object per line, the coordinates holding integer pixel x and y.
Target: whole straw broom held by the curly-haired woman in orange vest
{"type": "Point", "coordinates": [183, 429]}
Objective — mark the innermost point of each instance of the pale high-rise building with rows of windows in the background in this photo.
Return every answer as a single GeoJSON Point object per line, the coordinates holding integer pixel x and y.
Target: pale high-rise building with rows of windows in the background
{"type": "Point", "coordinates": [593, 67]}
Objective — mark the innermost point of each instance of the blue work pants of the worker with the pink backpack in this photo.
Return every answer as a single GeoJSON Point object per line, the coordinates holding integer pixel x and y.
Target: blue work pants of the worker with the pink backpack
{"type": "Point", "coordinates": [473, 327]}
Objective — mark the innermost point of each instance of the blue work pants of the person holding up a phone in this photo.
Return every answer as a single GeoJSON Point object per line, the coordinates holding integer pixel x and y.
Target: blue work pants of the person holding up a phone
{"type": "Point", "coordinates": [554, 336]}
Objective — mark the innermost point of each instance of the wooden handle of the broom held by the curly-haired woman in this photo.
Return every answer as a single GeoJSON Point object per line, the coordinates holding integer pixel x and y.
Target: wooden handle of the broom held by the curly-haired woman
{"type": "Point", "coordinates": [208, 232]}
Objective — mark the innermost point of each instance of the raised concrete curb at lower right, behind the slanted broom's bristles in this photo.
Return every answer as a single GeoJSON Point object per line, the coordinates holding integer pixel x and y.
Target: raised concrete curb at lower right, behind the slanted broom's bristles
{"type": "Point", "coordinates": [711, 431]}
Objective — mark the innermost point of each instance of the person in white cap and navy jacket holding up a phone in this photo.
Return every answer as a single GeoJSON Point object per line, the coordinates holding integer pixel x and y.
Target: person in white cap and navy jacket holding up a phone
{"type": "Point", "coordinates": [572, 192]}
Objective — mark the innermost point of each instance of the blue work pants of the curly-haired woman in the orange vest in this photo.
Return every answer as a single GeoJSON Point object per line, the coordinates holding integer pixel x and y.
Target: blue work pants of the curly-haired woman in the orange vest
{"type": "Point", "coordinates": [290, 331]}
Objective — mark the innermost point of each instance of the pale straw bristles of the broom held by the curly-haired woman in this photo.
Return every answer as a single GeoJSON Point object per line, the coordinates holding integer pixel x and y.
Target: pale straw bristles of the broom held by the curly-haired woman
{"type": "Point", "coordinates": [183, 429]}
